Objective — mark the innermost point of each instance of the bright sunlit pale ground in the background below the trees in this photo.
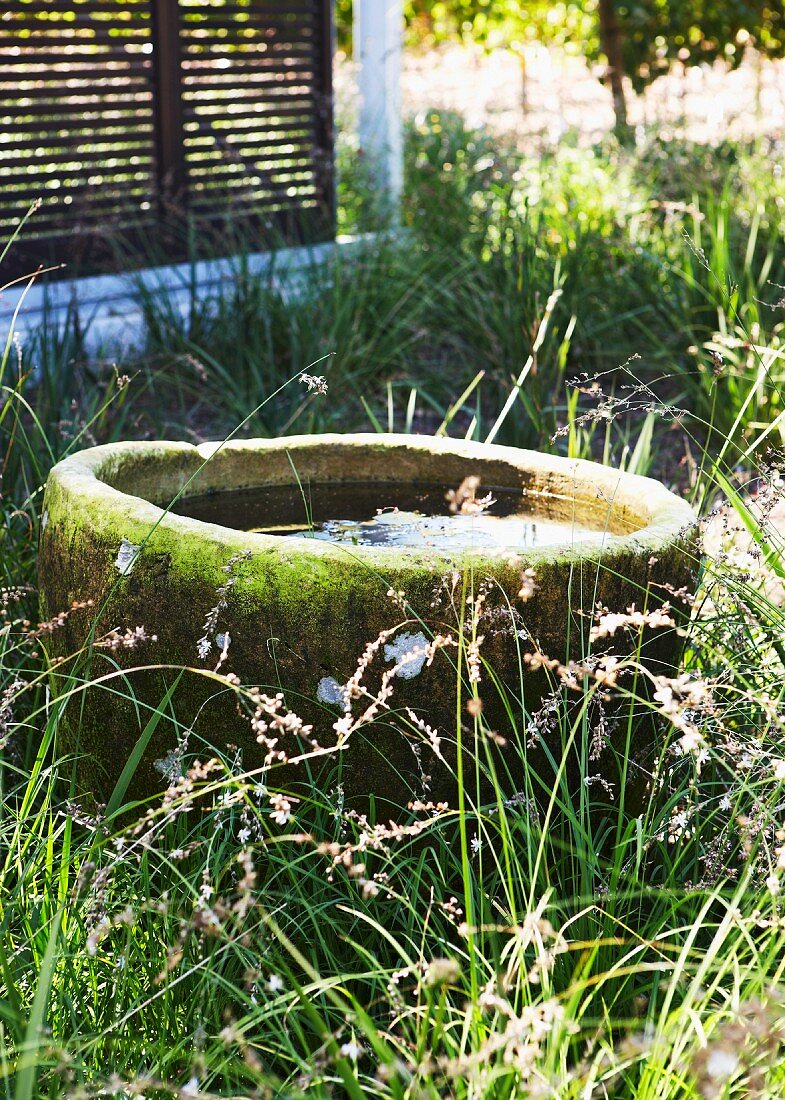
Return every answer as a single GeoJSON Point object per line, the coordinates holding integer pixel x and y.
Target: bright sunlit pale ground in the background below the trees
{"type": "Point", "coordinates": [560, 94]}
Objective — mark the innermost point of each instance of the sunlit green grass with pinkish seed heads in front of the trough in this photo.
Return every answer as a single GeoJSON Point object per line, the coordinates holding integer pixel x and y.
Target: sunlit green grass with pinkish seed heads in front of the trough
{"type": "Point", "coordinates": [214, 950]}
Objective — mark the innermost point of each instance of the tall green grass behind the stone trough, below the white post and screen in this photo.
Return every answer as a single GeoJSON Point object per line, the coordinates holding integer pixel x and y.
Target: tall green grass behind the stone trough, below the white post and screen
{"type": "Point", "coordinates": [656, 250]}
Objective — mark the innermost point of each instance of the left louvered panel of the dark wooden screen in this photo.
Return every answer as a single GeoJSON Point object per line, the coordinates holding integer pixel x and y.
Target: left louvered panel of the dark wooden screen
{"type": "Point", "coordinates": [78, 126]}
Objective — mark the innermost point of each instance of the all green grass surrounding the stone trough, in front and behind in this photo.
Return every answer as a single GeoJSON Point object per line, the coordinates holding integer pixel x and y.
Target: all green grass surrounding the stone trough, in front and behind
{"type": "Point", "coordinates": [506, 948]}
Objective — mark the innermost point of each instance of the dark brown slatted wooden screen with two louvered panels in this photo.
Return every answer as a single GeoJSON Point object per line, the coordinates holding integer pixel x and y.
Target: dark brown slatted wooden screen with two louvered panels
{"type": "Point", "coordinates": [149, 127]}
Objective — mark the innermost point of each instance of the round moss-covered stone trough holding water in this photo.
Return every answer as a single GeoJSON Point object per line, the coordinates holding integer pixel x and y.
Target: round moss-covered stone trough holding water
{"type": "Point", "coordinates": [301, 611]}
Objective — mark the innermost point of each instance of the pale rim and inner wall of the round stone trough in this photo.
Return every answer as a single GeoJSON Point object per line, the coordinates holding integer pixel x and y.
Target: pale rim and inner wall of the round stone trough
{"type": "Point", "coordinates": [119, 481]}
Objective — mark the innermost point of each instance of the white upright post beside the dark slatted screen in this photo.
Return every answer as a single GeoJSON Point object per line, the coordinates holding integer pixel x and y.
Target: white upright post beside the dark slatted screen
{"type": "Point", "coordinates": [379, 39]}
